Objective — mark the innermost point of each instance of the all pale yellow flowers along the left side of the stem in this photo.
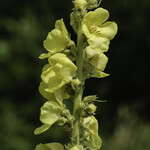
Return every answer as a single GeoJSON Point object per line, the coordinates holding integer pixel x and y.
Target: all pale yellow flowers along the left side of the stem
{"type": "Point", "coordinates": [56, 76]}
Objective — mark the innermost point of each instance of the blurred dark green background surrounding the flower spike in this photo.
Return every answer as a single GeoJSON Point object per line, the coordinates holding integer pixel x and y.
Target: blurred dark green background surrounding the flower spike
{"type": "Point", "coordinates": [124, 120]}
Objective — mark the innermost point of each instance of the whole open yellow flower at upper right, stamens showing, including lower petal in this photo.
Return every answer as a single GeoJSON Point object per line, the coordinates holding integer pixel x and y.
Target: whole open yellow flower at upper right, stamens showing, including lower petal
{"type": "Point", "coordinates": [98, 32]}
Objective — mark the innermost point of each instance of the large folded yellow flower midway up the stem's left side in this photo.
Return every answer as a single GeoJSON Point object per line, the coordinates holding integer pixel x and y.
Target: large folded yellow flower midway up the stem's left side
{"type": "Point", "coordinates": [58, 73]}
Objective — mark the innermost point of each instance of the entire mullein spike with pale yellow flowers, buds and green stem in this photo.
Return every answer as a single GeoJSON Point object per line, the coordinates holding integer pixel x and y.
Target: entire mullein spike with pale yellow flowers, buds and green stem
{"type": "Point", "coordinates": [69, 65]}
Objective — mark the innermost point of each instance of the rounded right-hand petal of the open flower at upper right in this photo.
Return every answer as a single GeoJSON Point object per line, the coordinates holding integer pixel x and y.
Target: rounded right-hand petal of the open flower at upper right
{"type": "Point", "coordinates": [108, 30]}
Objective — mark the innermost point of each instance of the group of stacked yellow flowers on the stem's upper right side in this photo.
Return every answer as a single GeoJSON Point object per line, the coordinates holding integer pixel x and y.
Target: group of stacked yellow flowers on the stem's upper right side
{"type": "Point", "coordinates": [98, 34]}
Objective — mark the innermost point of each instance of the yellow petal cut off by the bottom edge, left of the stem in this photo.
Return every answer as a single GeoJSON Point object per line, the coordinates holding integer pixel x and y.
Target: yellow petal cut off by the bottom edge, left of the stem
{"type": "Point", "coordinates": [50, 146]}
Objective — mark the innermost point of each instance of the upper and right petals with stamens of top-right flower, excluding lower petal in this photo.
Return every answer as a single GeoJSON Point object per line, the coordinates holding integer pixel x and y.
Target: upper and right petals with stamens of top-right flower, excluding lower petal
{"type": "Point", "coordinates": [94, 24]}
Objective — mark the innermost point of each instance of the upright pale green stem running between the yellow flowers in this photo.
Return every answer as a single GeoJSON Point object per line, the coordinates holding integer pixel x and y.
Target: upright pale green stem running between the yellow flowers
{"type": "Point", "coordinates": [78, 93]}
